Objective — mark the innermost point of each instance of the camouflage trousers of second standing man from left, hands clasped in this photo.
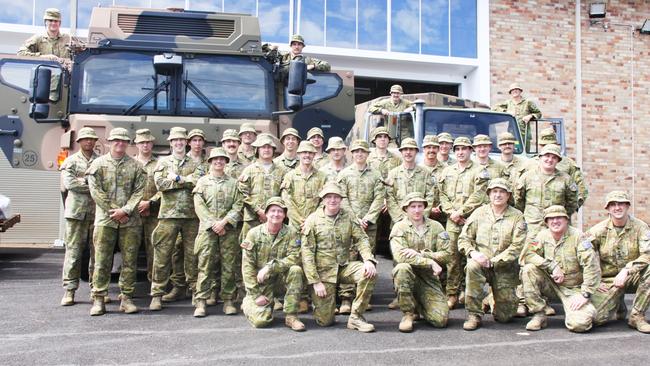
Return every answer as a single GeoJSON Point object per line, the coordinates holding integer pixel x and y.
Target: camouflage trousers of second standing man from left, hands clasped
{"type": "Point", "coordinates": [105, 238]}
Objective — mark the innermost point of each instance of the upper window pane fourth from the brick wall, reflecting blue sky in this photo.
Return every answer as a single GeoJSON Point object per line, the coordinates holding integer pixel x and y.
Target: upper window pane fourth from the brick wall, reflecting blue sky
{"type": "Point", "coordinates": [372, 25]}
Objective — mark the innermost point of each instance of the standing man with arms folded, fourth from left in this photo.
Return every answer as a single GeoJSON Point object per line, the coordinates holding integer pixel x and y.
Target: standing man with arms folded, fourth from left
{"type": "Point", "coordinates": [175, 178]}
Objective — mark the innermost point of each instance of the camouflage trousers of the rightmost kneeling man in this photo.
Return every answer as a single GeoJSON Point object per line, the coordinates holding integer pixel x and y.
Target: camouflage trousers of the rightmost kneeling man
{"type": "Point", "coordinates": [607, 303]}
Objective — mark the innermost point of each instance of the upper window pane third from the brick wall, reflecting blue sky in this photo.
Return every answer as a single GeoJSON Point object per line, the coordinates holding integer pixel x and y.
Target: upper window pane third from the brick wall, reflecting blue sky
{"type": "Point", "coordinates": [405, 16]}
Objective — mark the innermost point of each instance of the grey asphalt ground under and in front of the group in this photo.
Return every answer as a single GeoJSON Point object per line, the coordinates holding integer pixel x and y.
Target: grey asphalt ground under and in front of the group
{"type": "Point", "coordinates": [35, 329]}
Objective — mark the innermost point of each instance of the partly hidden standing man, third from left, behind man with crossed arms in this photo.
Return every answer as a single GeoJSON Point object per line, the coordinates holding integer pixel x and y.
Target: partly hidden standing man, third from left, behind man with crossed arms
{"type": "Point", "coordinates": [148, 207]}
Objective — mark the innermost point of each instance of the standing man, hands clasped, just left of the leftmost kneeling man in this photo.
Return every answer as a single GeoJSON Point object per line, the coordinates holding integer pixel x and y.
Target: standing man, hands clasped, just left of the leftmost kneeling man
{"type": "Point", "coordinates": [218, 205]}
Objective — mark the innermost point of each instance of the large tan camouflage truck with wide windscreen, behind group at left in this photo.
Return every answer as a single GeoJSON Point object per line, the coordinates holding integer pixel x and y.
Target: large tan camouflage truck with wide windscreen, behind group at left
{"type": "Point", "coordinates": [159, 68]}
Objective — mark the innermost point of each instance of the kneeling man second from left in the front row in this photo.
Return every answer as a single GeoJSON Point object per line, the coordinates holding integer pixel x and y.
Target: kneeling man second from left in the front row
{"type": "Point", "coordinates": [328, 236]}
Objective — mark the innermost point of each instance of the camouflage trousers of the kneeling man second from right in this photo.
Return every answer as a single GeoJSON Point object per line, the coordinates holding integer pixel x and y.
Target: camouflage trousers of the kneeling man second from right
{"type": "Point", "coordinates": [537, 283]}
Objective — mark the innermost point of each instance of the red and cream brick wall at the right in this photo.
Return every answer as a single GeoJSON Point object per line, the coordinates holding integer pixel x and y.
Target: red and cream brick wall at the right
{"type": "Point", "coordinates": [534, 43]}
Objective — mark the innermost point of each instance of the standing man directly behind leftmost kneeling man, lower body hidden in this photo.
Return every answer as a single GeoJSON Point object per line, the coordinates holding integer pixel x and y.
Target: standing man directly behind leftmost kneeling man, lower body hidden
{"type": "Point", "coordinates": [258, 182]}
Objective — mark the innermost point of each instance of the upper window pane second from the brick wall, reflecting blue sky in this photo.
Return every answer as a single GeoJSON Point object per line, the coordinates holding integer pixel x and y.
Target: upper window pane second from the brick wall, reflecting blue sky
{"type": "Point", "coordinates": [435, 27]}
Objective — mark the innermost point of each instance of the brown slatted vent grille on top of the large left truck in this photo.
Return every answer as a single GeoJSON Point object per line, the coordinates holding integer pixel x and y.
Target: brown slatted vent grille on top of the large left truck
{"type": "Point", "coordinates": [170, 26]}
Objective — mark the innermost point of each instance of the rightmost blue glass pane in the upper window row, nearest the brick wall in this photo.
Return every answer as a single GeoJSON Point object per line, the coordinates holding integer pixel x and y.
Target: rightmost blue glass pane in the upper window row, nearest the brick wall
{"type": "Point", "coordinates": [463, 28]}
